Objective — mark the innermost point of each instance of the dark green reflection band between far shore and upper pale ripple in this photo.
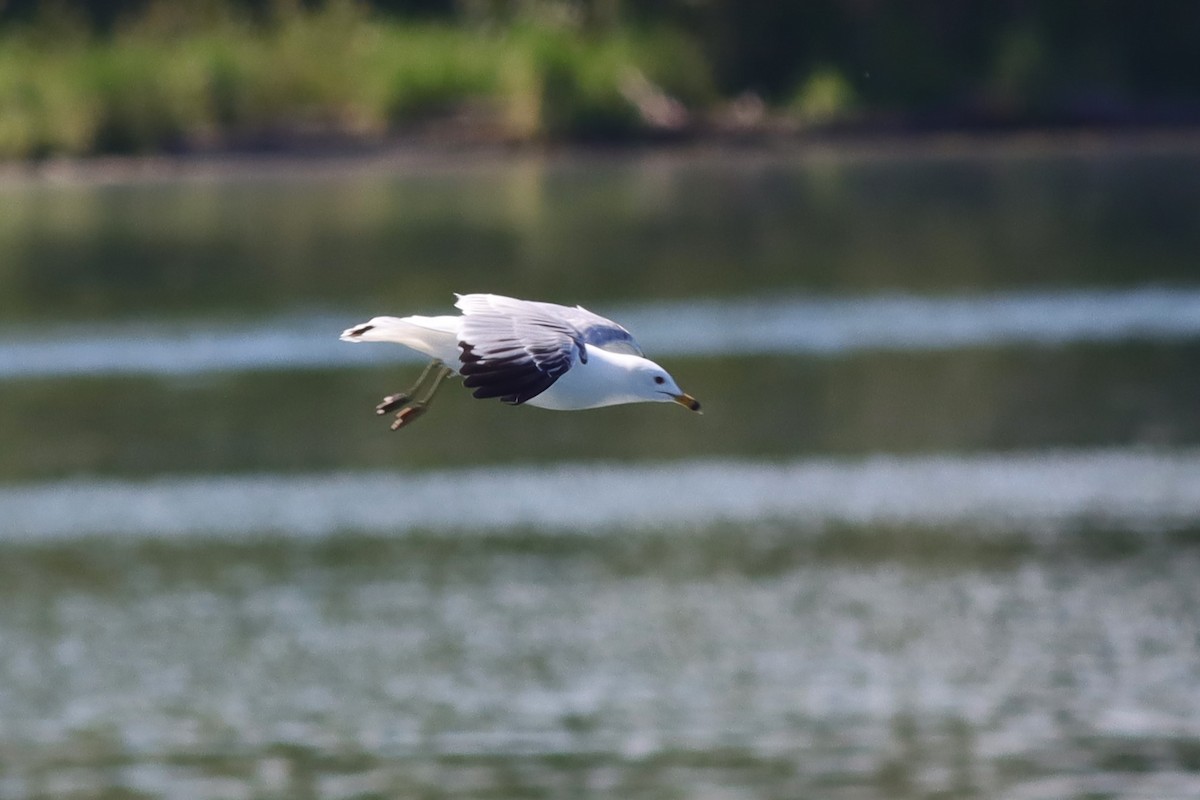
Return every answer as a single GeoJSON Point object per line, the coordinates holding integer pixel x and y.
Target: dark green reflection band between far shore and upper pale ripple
{"type": "Point", "coordinates": [598, 230]}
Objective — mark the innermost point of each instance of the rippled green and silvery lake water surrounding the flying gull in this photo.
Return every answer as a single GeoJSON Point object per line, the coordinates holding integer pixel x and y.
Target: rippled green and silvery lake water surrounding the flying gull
{"type": "Point", "coordinates": [935, 536]}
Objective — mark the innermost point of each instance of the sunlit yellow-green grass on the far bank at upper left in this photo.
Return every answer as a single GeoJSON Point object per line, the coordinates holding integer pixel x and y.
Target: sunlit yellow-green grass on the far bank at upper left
{"type": "Point", "coordinates": [175, 80]}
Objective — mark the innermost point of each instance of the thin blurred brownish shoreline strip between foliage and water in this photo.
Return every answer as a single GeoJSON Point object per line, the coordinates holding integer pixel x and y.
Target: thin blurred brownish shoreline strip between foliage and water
{"type": "Point", "coordinates": [439, 152]}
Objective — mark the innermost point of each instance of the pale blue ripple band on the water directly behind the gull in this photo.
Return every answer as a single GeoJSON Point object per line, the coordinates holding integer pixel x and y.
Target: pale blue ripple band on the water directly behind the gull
{"type": "Point", "coordinates": [748, 327]}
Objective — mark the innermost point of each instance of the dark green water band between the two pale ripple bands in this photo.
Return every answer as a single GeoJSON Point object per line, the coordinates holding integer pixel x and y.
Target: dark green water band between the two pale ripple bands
{"type": "Point", "coordinates": [974, 400]}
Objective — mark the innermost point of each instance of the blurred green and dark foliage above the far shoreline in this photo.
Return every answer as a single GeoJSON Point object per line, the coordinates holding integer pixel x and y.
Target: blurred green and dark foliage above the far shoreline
{"type": "Point", "coordinates": [81, 77]}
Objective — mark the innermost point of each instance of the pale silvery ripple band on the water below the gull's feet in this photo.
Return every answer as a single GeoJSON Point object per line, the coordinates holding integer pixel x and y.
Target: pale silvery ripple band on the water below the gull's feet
{"type": "Point", "coordinates": [1037, 491]}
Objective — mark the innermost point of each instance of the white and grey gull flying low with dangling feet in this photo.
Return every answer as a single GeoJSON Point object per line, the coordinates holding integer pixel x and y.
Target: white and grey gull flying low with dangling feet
{"type": "Point", "coordinates": [524, 353]}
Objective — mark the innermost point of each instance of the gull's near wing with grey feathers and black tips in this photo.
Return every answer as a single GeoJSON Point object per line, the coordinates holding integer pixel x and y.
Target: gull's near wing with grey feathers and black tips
{"type": "Point", "coordinates": [514, 350]}
